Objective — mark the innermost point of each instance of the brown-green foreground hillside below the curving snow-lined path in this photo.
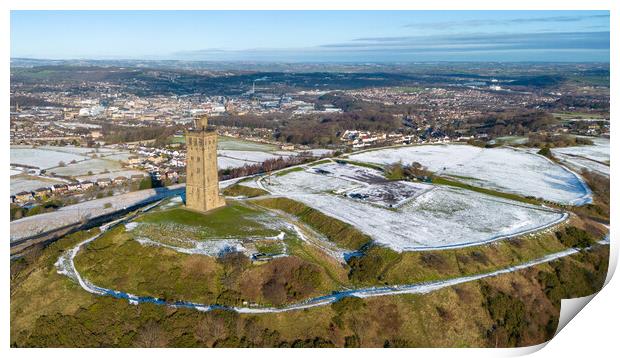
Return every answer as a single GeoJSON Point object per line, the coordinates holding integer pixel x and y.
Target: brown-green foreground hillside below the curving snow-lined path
{"type": "Point", "coordinates": [516, 309]}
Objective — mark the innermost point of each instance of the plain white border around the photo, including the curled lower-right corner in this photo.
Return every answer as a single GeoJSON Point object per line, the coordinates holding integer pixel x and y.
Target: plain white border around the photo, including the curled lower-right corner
{"type": "Point", "coordinates": [591, 333]}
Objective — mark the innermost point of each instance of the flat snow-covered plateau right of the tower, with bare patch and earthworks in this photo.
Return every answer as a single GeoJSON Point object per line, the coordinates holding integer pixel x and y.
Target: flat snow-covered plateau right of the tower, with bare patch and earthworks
{"type": "Point", "coordinates": [438, 217]}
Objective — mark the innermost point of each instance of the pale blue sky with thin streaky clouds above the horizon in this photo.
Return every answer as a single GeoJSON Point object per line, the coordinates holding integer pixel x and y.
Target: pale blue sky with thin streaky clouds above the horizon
{"type": "Point", "coordinates": [358, 36]}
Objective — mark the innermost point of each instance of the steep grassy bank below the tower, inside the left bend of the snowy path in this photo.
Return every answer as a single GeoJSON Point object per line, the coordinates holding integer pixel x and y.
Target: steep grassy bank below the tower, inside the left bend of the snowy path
{"type": "Point", "coordinates": [119, 262]}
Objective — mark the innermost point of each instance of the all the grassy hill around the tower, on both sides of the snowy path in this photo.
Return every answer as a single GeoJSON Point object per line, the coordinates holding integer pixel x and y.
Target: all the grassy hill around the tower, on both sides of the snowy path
{"type": "Point", "coordinates": [517, 309]}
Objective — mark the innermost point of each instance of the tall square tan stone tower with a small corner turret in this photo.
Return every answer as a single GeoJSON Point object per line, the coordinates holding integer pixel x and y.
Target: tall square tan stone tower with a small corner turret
{"type": "Point", "coordinates": [202, 190]}
